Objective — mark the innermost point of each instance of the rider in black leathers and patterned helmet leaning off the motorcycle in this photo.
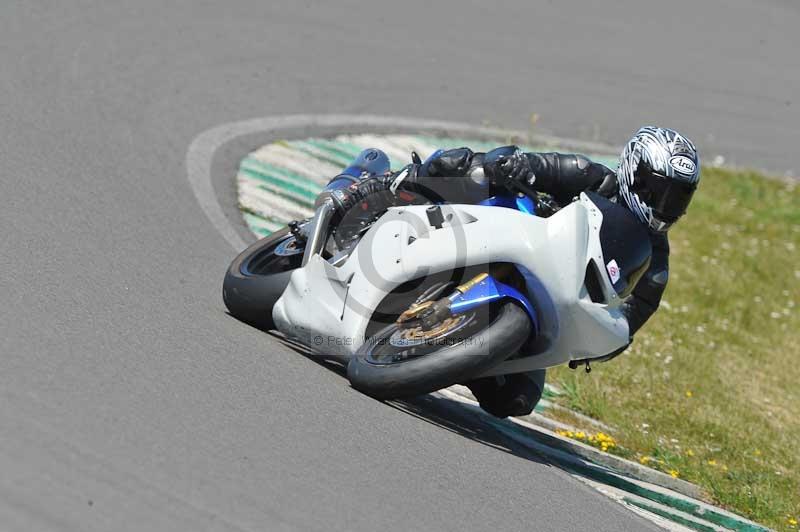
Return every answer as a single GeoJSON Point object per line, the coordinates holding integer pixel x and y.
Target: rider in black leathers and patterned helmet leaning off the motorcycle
{"type": "Point", "coordinates": [657, 174]}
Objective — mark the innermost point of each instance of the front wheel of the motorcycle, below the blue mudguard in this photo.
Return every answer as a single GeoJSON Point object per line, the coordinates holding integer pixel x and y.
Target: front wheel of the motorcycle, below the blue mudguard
{"type": "Point", "coordinates": [402, 362]}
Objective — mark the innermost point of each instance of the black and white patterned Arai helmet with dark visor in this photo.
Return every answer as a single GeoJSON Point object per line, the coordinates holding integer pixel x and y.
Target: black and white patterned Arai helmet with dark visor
{"type": "Point", "coordinates": [658, 172]}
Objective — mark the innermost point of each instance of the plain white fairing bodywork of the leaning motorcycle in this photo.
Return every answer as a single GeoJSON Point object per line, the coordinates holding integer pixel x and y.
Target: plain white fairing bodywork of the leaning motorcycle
{"type": "Point", "coordinates": [328, 307]}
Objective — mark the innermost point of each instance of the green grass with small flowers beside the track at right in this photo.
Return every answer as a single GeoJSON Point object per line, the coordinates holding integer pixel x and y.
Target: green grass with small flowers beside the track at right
{"type": "Point", "coordinates": [711, 386]}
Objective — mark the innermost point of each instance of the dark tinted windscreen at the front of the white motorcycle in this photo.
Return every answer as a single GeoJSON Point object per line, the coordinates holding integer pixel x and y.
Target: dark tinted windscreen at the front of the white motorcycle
{"type": "Point", "coordinates": [626, 245]}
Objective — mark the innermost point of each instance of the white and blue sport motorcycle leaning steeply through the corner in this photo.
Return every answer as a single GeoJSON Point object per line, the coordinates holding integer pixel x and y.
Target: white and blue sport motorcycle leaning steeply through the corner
{"type": "Point", "coordinates": [418, 297]}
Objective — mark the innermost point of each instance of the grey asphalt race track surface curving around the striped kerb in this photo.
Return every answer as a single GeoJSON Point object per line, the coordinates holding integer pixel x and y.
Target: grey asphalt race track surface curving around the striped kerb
{"type": "Point", "coordinates": [130, 400]}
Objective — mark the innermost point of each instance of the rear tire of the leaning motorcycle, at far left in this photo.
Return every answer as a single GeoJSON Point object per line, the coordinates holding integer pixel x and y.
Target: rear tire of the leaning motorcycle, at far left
{"type": "Point", "coordinates": [257, 277]}
